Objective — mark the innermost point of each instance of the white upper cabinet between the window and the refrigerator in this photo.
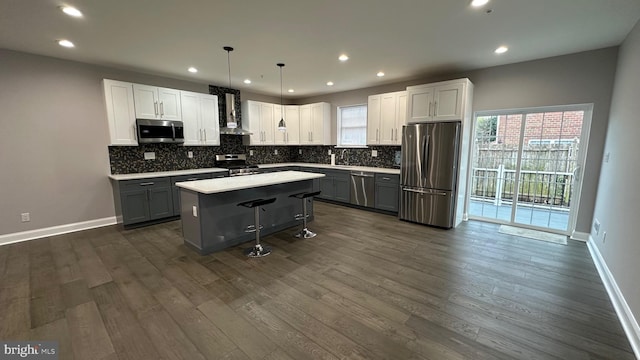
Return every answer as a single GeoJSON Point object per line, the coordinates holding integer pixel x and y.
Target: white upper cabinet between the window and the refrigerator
{"type": "Point", "coordinates": [386, 114]}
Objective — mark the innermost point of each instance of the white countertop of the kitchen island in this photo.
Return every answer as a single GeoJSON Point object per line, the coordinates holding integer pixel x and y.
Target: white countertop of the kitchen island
{"type": "Point", "coordinates": [212, 186]}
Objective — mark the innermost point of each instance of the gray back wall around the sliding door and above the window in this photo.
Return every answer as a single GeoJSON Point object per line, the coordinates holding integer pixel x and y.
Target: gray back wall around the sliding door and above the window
{"type": "Point", "coordinates": [571, 79]}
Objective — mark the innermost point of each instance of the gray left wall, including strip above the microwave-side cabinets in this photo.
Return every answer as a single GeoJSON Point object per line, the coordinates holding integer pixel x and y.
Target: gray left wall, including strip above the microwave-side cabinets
{"type": "Point", "coordinates": [54, 138]}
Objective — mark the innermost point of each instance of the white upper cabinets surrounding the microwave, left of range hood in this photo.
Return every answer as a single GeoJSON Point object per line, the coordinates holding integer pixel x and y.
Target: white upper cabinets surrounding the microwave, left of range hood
{"type": "Point", "coordinates": [127, 102]}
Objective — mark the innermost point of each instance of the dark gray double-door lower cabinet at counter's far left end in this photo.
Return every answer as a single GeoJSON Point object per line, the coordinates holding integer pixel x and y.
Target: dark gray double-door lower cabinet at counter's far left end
{"type": "Point", "coordinates": [145, 200]}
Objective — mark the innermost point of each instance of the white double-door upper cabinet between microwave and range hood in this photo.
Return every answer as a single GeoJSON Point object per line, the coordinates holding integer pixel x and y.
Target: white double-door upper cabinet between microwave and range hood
{"type": "Point", "coordinates": [200, 118]}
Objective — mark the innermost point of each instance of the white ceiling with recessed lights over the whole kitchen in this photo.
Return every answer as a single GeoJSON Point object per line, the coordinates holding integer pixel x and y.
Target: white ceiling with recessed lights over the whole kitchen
{"type": "Point", "coordinates": [404, 38]}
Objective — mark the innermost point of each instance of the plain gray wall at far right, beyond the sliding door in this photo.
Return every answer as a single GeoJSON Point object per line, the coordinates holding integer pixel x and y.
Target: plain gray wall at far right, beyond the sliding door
{"type": "Point", "coordinates": [618, 201]}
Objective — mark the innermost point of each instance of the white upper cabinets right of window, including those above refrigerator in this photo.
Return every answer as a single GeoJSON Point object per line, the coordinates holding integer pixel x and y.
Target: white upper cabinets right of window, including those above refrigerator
{"type": "Point", "coordinates": [442, 101]}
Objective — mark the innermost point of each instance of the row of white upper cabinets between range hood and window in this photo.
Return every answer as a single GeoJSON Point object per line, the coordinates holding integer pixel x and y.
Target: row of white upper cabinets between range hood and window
{"type": "Point", "coordinates": [305, 124]}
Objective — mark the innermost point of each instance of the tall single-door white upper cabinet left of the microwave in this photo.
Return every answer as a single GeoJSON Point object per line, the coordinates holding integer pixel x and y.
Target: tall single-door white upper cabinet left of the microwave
{"type": "Point", "coordinates": [120, 112]}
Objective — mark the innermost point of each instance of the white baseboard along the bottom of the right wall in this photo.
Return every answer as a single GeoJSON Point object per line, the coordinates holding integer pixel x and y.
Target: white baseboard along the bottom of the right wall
{"type": "Point", "coordinates": [629, 323]}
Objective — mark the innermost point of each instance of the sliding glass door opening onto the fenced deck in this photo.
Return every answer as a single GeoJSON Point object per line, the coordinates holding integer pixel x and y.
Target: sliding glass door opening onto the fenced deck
{"type": "Point", "coordinates": [526, 166]}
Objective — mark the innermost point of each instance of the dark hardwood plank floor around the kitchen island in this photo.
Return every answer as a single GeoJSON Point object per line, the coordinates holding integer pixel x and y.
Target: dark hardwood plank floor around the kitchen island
{"type": "Point", "coordinates": [367, 287]}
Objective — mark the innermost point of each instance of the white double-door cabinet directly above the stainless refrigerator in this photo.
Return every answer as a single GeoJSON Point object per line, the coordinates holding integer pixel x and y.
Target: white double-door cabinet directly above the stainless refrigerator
{"type": "Point", "coordinates": [443, 101]}
